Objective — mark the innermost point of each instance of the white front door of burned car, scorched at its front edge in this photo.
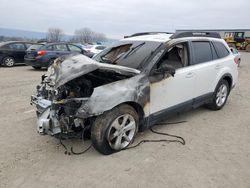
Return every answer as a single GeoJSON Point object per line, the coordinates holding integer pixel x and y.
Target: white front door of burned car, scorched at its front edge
{"type": "Point", "coordinates": [172, 93]}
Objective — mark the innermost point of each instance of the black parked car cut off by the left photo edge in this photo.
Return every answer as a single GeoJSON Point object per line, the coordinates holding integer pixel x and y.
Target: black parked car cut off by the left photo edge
{"type": "Point", "coordinates": [13, 52]}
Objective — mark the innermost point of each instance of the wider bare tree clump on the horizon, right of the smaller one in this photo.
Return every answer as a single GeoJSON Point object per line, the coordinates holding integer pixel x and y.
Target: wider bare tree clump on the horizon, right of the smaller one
{"type": "Point", "coordinates": [86, 35]}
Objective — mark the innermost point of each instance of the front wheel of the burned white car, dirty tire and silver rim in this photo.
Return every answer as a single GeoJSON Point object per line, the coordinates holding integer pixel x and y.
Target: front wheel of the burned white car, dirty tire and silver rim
{"type": "Point", "coordinates": [114, 130]}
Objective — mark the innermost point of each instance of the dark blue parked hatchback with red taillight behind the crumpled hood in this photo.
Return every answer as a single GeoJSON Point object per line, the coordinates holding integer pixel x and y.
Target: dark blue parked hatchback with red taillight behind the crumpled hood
{"type": "Point", "coordinates": [43, 55]}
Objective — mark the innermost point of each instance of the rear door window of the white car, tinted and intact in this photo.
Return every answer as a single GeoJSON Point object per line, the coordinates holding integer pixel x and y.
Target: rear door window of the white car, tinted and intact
{"type": "Point", "coordinates": [202, 52]}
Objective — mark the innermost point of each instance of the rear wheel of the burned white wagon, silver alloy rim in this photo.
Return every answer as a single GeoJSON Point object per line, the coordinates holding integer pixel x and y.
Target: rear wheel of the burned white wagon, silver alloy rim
{"type": "Point", "coordinates": [220, 95]}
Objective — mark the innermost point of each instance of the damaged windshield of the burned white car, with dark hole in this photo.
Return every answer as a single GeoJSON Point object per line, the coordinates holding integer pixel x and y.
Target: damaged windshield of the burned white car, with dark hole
{"type": "Point", "coordinates": [127, 53]}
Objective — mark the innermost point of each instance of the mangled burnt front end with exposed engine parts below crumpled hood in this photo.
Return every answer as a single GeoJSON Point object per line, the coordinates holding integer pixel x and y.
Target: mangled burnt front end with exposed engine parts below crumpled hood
{"type": "Point", "coordinates": [56, 108]}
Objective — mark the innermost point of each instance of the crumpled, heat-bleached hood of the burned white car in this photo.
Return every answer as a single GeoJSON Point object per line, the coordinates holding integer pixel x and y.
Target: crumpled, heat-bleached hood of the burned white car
{"type": "Point", "coordinates": [68, 68]}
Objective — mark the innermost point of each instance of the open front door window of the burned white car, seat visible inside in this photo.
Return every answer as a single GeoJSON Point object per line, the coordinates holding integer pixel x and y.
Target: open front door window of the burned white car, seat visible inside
{"type": "Point", "coordinates": [176, 57]}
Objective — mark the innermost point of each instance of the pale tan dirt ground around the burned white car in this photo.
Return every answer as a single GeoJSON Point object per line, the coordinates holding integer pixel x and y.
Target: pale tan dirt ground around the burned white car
{"type": "Point", "coordinates": [216, 154]}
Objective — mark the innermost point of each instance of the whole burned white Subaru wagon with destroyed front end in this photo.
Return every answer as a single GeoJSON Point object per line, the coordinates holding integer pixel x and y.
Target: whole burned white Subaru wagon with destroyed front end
{"type": "Point", "coordinates": [133, 84]}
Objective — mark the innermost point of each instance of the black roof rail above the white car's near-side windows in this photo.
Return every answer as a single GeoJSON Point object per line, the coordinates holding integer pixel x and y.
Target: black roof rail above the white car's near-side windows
{"type": "Point", "coordinates": [195, 34]}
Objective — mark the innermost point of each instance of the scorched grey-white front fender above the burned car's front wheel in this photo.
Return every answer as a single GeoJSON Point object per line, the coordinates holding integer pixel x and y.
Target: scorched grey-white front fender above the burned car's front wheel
{"type": "Point", "coordinates": [104, 98]}
